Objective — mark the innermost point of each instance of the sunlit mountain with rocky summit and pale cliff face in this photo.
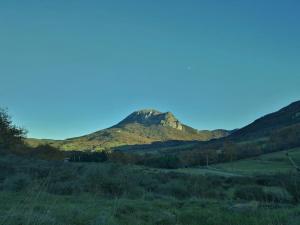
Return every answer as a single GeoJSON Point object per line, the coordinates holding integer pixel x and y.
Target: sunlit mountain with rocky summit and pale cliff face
{"type": "Point", "coordinates": [141, 127]}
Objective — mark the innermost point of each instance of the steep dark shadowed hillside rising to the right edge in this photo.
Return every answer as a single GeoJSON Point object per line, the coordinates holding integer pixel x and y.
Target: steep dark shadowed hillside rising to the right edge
{"type": "Point", "coordinates": [273, 132]}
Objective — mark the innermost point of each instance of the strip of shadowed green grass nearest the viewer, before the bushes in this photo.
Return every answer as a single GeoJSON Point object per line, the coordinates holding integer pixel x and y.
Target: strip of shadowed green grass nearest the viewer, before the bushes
{"type": "Point", "coordinates": [24, 208]}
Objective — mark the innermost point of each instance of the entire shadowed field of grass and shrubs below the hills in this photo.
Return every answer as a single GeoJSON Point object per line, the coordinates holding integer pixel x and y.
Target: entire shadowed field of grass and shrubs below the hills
{"type": "Point", "coordinates": [42, 192]}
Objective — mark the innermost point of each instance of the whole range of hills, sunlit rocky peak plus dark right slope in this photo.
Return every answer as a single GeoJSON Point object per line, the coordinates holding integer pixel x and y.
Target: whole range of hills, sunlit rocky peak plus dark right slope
{"type": "Point", "coordinates": [151, 131]}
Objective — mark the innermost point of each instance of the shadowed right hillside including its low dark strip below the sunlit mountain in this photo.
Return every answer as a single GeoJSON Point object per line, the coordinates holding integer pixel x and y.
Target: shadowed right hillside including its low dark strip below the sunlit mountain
{"type": "Point", "coordinates": [273, 132]}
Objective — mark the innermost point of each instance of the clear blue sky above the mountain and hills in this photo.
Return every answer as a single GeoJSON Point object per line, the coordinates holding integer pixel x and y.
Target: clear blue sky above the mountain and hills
{"type": "Point", "coordinates": [68, 68]}
